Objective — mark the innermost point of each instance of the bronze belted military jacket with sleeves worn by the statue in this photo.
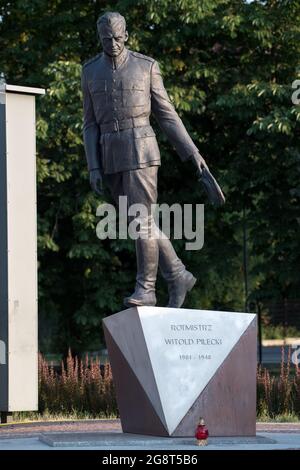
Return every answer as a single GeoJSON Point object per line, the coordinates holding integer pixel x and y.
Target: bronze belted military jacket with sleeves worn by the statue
{"type": "Point", "coordinates": [118, 98]}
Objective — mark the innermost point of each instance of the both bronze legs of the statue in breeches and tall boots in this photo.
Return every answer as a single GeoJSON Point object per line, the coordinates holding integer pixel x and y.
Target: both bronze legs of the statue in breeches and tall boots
{"type": "Point", "coordinates": [140, 186]}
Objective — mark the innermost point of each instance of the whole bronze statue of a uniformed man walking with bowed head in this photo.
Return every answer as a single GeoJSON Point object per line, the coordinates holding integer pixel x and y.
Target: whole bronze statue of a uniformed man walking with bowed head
{"type": "Point", "coordinates": [120, 90]}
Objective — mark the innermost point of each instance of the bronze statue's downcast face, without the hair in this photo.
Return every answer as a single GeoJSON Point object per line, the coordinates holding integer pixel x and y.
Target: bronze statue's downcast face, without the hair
{"type": "Point", "coordinates": [113, 38]}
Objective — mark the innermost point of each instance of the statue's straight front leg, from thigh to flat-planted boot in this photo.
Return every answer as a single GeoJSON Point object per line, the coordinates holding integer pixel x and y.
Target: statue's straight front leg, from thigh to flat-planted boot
{"type": "Point", "coordinates": [140, 186]}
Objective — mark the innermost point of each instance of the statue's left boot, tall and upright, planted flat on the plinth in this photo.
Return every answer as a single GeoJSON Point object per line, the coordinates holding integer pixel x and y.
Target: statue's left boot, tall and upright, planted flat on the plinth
{"type": "Point", "coordinates": [147, 264]}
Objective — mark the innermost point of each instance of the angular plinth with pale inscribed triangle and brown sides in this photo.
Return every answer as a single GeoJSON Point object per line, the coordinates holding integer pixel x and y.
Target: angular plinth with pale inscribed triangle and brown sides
{"type": "Point", "coordinates": [174, 356]}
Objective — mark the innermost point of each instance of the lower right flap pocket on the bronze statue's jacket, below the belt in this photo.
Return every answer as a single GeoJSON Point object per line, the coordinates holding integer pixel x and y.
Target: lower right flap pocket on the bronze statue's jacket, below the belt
{"type": "Point", "coordinates": [146, 146]}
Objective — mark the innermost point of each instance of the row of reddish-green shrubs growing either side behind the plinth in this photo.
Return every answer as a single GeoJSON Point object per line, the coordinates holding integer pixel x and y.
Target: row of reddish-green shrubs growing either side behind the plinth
{"type": "Point", "coordinates": [85, 388]}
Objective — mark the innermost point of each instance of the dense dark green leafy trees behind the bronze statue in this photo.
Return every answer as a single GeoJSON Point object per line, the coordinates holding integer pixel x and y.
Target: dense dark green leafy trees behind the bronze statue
{"type": "Point", "coordinates": [228, 66]}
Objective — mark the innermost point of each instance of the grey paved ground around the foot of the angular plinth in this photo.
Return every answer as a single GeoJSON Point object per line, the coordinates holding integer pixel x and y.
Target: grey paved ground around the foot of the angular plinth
{"type": "Point", "coordinates": [107, 435]}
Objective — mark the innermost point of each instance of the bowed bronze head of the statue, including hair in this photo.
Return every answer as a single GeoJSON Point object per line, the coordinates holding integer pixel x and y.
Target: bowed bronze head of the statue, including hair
{"type": "Point", "coordinates": [112, 33]}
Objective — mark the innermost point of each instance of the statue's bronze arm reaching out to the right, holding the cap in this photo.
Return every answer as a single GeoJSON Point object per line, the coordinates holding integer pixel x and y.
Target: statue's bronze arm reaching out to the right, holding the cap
{"type": "Point", "coordinates": [169, 120]}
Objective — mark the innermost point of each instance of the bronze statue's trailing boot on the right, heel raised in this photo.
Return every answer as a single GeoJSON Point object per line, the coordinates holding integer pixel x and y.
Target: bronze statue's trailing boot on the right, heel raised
{"type": "Point", "coordinates": [179, 280]}
